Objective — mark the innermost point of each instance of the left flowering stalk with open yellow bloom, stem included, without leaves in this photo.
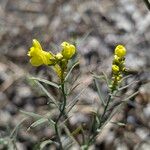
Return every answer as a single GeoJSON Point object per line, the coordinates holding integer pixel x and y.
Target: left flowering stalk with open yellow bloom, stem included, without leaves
{"type": "Point", "coordinates": [59, 64]}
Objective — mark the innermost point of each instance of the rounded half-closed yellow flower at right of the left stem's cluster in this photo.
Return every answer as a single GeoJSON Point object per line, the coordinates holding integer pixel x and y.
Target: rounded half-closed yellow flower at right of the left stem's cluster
{"type": "Point", "coordinates": [68, 50]}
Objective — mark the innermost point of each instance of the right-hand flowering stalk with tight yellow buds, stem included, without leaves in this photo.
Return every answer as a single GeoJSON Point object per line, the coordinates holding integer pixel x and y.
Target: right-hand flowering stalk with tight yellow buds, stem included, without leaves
{"type": "Point", "coordinates": [118, 68]}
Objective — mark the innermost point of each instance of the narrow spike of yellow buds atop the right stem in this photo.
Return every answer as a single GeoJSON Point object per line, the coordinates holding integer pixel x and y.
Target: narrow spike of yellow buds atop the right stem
{"type": "Point", "coordinates": [118, 66]}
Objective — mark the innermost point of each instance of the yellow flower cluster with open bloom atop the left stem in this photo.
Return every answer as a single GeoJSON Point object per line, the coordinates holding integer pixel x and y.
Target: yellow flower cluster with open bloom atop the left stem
{"type": "Point", "coordinates": [59, 61]}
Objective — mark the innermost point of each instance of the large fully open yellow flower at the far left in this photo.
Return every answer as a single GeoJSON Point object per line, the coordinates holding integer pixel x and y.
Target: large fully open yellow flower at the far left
{"type": "Point", "coordinates": [38, 56]}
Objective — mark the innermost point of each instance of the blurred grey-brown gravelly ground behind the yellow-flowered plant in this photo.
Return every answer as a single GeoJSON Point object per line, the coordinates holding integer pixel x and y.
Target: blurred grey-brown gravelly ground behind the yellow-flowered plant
{"type": "Point", "coordinates": [97, 26]}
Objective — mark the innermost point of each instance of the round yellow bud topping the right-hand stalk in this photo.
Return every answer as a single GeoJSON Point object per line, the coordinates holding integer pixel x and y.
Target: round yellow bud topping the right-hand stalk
{"type": "Point", "coordinates": [120, 51]}
